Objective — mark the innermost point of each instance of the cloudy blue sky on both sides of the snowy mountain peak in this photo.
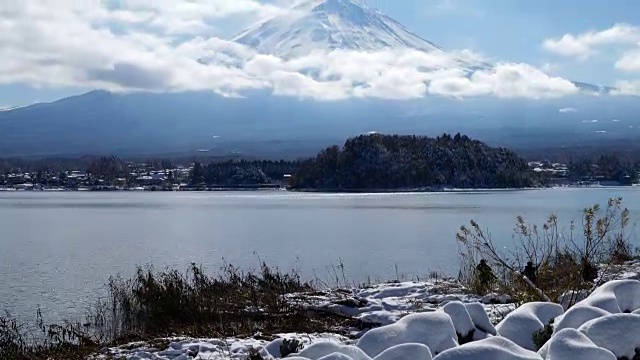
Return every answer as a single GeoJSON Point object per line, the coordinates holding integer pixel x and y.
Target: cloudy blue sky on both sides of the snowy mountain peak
{"type": "Point", "coordinates": [53, 48]}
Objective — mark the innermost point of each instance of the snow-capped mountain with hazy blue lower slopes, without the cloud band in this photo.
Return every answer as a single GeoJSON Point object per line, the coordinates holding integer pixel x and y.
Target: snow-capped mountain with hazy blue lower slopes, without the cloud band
{"type": "Point", "coordinates": [263, 124]}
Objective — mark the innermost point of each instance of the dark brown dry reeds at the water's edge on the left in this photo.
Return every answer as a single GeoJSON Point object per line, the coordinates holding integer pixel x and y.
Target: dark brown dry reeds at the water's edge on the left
{"type": "Point", "coordinates": [155, 304]}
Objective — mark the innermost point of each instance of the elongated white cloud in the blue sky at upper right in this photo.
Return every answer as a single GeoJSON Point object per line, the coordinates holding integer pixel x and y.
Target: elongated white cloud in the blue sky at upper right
{"type": "Point", "coordinates": [584, 45]}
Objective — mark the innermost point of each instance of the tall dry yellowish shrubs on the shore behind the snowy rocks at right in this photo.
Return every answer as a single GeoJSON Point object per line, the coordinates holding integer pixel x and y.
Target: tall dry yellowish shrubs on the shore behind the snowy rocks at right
{"type": "Point", "coordinates": [566, 260]}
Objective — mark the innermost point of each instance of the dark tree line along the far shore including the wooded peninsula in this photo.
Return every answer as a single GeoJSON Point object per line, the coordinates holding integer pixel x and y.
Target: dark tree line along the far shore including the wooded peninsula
{"type": "Point", "coordinates": [366, 162]}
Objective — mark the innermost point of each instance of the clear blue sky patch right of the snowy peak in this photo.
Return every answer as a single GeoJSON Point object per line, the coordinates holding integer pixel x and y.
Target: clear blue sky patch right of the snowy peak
{"type": "Point", "coordinates": [512, 30]}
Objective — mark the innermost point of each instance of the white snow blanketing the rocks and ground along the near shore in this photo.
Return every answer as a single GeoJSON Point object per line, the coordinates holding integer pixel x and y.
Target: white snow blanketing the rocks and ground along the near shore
{"type": "Point", "coordinates": [442, 325]}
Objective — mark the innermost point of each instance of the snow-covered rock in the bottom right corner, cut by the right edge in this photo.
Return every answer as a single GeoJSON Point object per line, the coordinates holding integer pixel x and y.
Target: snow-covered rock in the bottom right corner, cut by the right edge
{"type": "Point", "coordinates": [619, 333]}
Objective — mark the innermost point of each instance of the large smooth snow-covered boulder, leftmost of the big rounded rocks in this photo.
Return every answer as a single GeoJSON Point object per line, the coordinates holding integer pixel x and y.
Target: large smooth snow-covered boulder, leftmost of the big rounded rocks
{"type": "Point", "coordinates": [434, 330]}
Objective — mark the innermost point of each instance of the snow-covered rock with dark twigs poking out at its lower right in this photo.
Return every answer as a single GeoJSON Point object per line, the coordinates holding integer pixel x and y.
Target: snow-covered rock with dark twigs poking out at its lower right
{"type": "Point", "coordinates": [520, 324]}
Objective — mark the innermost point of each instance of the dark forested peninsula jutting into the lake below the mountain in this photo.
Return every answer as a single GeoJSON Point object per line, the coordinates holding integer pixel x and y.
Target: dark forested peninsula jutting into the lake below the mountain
{"type": "Point", "coordinates": [390, 162]}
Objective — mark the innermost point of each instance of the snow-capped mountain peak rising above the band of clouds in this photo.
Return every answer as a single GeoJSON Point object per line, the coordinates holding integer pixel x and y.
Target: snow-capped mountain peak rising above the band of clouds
{"type": "Point", "coordinates": [330, 25]}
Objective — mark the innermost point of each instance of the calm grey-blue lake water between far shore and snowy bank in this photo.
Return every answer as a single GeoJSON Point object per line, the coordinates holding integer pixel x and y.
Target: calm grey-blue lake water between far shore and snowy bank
{"type": "Point", "coordinates": [58, 249]}
